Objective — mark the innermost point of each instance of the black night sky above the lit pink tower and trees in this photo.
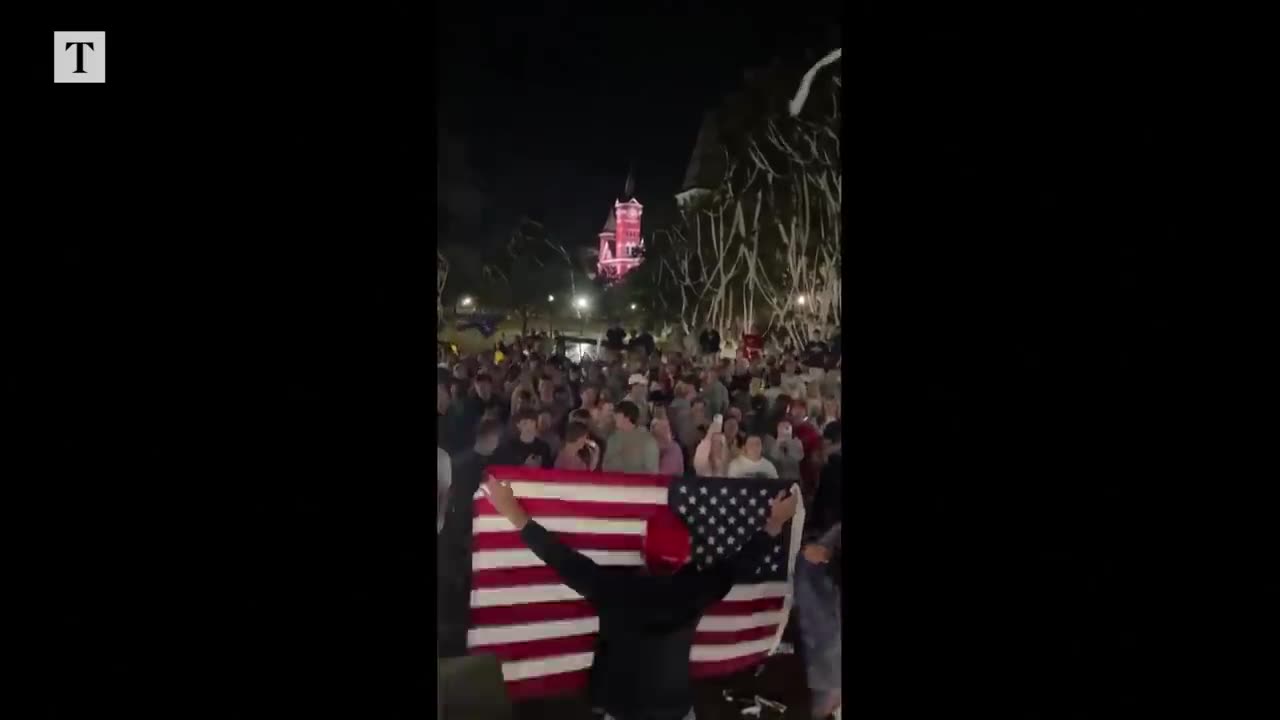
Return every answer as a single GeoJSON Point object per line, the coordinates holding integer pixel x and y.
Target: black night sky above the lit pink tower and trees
{"type": "Point", "coordinates": [543, 112]}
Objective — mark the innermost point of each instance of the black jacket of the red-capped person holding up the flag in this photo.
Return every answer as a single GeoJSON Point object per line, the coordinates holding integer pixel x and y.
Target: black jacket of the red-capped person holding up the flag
{"type": "Point", "coordinates": [647, 623]}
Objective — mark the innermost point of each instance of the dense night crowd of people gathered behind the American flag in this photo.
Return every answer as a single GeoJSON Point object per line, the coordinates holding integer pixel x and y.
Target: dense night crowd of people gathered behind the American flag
{"type": "Point", "coordinates": [682, 408]}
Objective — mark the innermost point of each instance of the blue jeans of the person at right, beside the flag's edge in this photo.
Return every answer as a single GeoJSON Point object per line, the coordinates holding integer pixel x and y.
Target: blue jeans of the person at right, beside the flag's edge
{"type": "Point", "coordinates": [819, 612]}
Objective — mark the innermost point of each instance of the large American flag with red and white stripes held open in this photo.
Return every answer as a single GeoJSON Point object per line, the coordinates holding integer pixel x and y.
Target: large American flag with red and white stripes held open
{"type": "Point", "coordinates": [545, 634]}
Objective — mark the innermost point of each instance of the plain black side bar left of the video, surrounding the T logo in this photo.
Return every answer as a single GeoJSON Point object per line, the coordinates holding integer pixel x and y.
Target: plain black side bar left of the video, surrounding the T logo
{"type": "Point", "coordinates": [213, 343]}
